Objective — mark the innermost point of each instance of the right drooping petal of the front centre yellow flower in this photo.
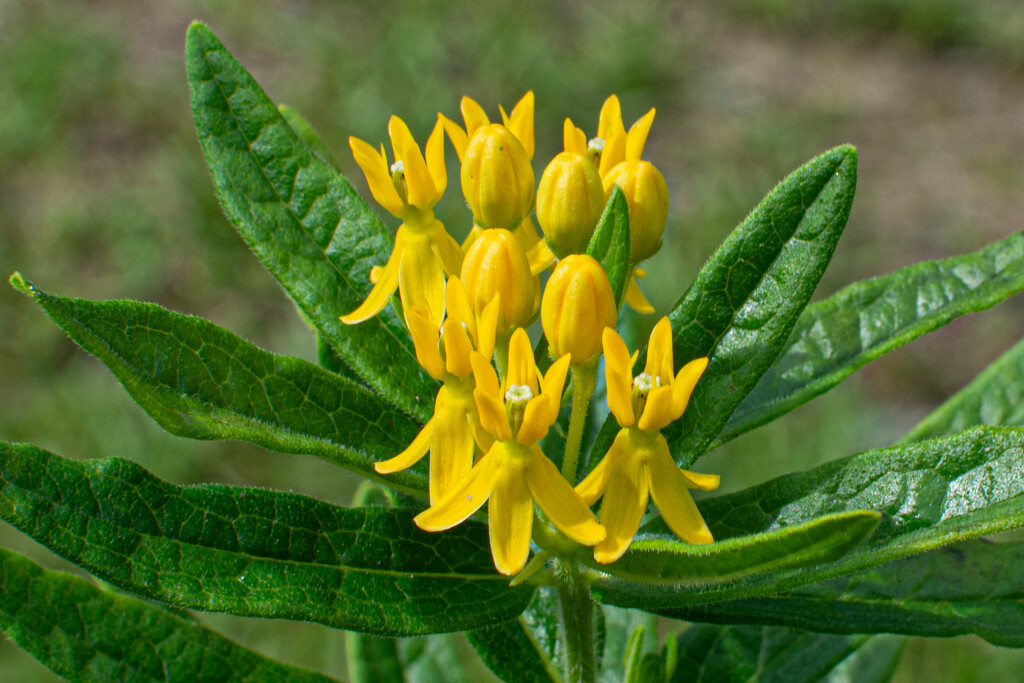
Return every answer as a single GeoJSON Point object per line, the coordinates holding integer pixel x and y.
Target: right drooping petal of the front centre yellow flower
{"type": "Point", "coordinates": [563, 505]}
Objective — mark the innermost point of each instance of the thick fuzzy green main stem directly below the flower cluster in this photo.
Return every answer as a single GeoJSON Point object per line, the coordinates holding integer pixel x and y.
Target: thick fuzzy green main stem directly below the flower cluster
{"type": "Point", "coordinates": [576, 623]}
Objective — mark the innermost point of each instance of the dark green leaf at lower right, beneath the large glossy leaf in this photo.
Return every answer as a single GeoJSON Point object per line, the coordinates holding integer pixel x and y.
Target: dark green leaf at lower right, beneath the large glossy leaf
{"type": "Point", "coordinates": [970, 588]}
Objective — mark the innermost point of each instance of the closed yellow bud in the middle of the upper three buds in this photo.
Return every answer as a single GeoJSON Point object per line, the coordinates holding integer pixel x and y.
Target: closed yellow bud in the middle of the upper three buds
{"type": "Point", "coordinates": [570, 202]}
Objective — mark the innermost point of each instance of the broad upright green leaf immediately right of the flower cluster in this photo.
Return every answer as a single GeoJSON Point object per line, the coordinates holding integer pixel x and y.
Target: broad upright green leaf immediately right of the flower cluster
{"type": "Point", "coordinates": [746, 302]}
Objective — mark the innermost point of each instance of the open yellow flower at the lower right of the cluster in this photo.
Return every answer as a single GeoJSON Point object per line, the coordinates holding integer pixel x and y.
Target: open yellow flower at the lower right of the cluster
{"type": "Point", "coordinates": [638, 463]}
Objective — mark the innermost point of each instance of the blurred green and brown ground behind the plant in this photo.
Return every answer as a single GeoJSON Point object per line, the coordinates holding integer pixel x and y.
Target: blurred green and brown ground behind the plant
{"type": "Point", "coordinates": [104, 193]}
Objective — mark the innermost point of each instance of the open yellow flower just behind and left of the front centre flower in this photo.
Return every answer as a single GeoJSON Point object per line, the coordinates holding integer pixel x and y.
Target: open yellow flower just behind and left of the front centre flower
{"type": "Point", "coordinates": [451, 433]}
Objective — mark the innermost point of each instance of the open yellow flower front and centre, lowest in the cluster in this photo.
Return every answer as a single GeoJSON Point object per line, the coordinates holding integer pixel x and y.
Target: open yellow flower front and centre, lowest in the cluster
{"type": "Point", "coordinates": [515, 473]}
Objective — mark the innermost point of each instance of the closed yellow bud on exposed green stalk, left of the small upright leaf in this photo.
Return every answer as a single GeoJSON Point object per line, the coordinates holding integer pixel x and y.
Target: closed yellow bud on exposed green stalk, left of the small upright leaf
{"type": "Point", "coordinates": [578, 306]}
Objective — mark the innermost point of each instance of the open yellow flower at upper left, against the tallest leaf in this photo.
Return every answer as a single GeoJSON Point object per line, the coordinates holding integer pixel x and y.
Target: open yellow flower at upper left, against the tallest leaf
{"type": "Point", "coordinates": [424, 252]}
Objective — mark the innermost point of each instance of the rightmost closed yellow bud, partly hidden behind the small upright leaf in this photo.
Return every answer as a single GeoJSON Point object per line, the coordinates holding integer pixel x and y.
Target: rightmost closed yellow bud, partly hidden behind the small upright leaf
{"type": "Point", "coordinates": [649, 199]}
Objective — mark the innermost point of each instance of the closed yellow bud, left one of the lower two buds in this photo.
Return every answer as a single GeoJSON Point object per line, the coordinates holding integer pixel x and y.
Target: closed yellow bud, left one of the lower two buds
{"type": "Point", "coordinates": [497, 264]}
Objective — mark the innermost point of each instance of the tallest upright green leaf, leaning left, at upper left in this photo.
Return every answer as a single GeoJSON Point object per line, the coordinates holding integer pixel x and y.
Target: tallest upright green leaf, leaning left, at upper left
{"type": "Point", "coordinates": [302, 219]}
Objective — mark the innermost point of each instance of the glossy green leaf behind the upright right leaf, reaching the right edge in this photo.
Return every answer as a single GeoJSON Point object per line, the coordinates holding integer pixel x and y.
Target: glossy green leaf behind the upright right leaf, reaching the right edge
{"type": "Point", "coordinates": [870, 319]}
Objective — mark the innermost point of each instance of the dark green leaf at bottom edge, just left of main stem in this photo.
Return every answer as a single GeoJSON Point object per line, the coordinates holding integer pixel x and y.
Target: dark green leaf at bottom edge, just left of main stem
{"type": "Point", "coordinates": [513, 653]}
